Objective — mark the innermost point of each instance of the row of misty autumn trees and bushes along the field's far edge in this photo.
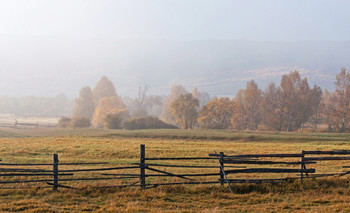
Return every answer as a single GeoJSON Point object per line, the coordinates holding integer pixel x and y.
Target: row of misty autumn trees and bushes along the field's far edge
{"type": "Point", "coordinates": [291, 105]}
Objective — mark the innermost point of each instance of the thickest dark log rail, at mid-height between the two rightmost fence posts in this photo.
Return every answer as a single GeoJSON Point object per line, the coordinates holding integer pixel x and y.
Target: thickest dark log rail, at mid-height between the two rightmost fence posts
{"type": "Point", "coordinates": [269, 170]}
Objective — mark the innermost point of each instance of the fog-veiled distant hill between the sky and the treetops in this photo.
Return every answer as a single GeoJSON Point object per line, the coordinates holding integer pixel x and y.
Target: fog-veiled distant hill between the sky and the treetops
{"type": "Point", "coordinates": [46, 66]}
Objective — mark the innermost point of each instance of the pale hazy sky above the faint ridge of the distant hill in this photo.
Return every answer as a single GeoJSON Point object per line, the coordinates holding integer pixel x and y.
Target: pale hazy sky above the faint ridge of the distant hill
{"type": "Point", "coordinates": [179, 19]}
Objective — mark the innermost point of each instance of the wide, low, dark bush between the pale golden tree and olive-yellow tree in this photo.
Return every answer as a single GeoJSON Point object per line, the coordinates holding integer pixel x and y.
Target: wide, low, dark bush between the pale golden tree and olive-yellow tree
{"type": "Point", "coordinates": [147, 123]}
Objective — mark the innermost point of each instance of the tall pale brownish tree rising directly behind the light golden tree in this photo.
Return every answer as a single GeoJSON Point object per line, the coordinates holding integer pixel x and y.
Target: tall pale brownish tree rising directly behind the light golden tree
{"type": "Point", "coordinates": [103, 88]}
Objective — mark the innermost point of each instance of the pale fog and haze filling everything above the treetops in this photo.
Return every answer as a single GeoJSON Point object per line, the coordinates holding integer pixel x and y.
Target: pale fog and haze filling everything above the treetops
{"type": "Point", "coordinates": [57, 47]}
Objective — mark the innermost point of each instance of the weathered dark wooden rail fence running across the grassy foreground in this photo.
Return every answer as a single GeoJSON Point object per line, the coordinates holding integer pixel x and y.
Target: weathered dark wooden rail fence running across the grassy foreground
{"type": "Point", "coordinates": [214, 169]}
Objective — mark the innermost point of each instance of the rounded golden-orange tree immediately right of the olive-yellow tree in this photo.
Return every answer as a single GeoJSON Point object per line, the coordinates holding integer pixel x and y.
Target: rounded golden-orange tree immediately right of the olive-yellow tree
{"type": "Point", "coordinates": [217, 114]}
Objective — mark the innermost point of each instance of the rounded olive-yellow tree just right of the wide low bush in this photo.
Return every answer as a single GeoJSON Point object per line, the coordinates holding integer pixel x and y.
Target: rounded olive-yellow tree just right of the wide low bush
{"type": "Point", "coordinates": [184, 110]}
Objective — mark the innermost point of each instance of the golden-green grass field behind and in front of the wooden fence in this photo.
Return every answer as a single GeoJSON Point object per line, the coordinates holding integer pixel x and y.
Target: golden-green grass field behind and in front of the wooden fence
{"type": "Point", "coordinates": [122, 147]}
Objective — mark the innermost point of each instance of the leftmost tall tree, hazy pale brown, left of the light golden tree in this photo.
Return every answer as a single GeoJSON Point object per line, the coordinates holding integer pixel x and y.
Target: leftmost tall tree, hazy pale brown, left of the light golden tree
{"type": "Point", "coordinates": [84, 104]}
